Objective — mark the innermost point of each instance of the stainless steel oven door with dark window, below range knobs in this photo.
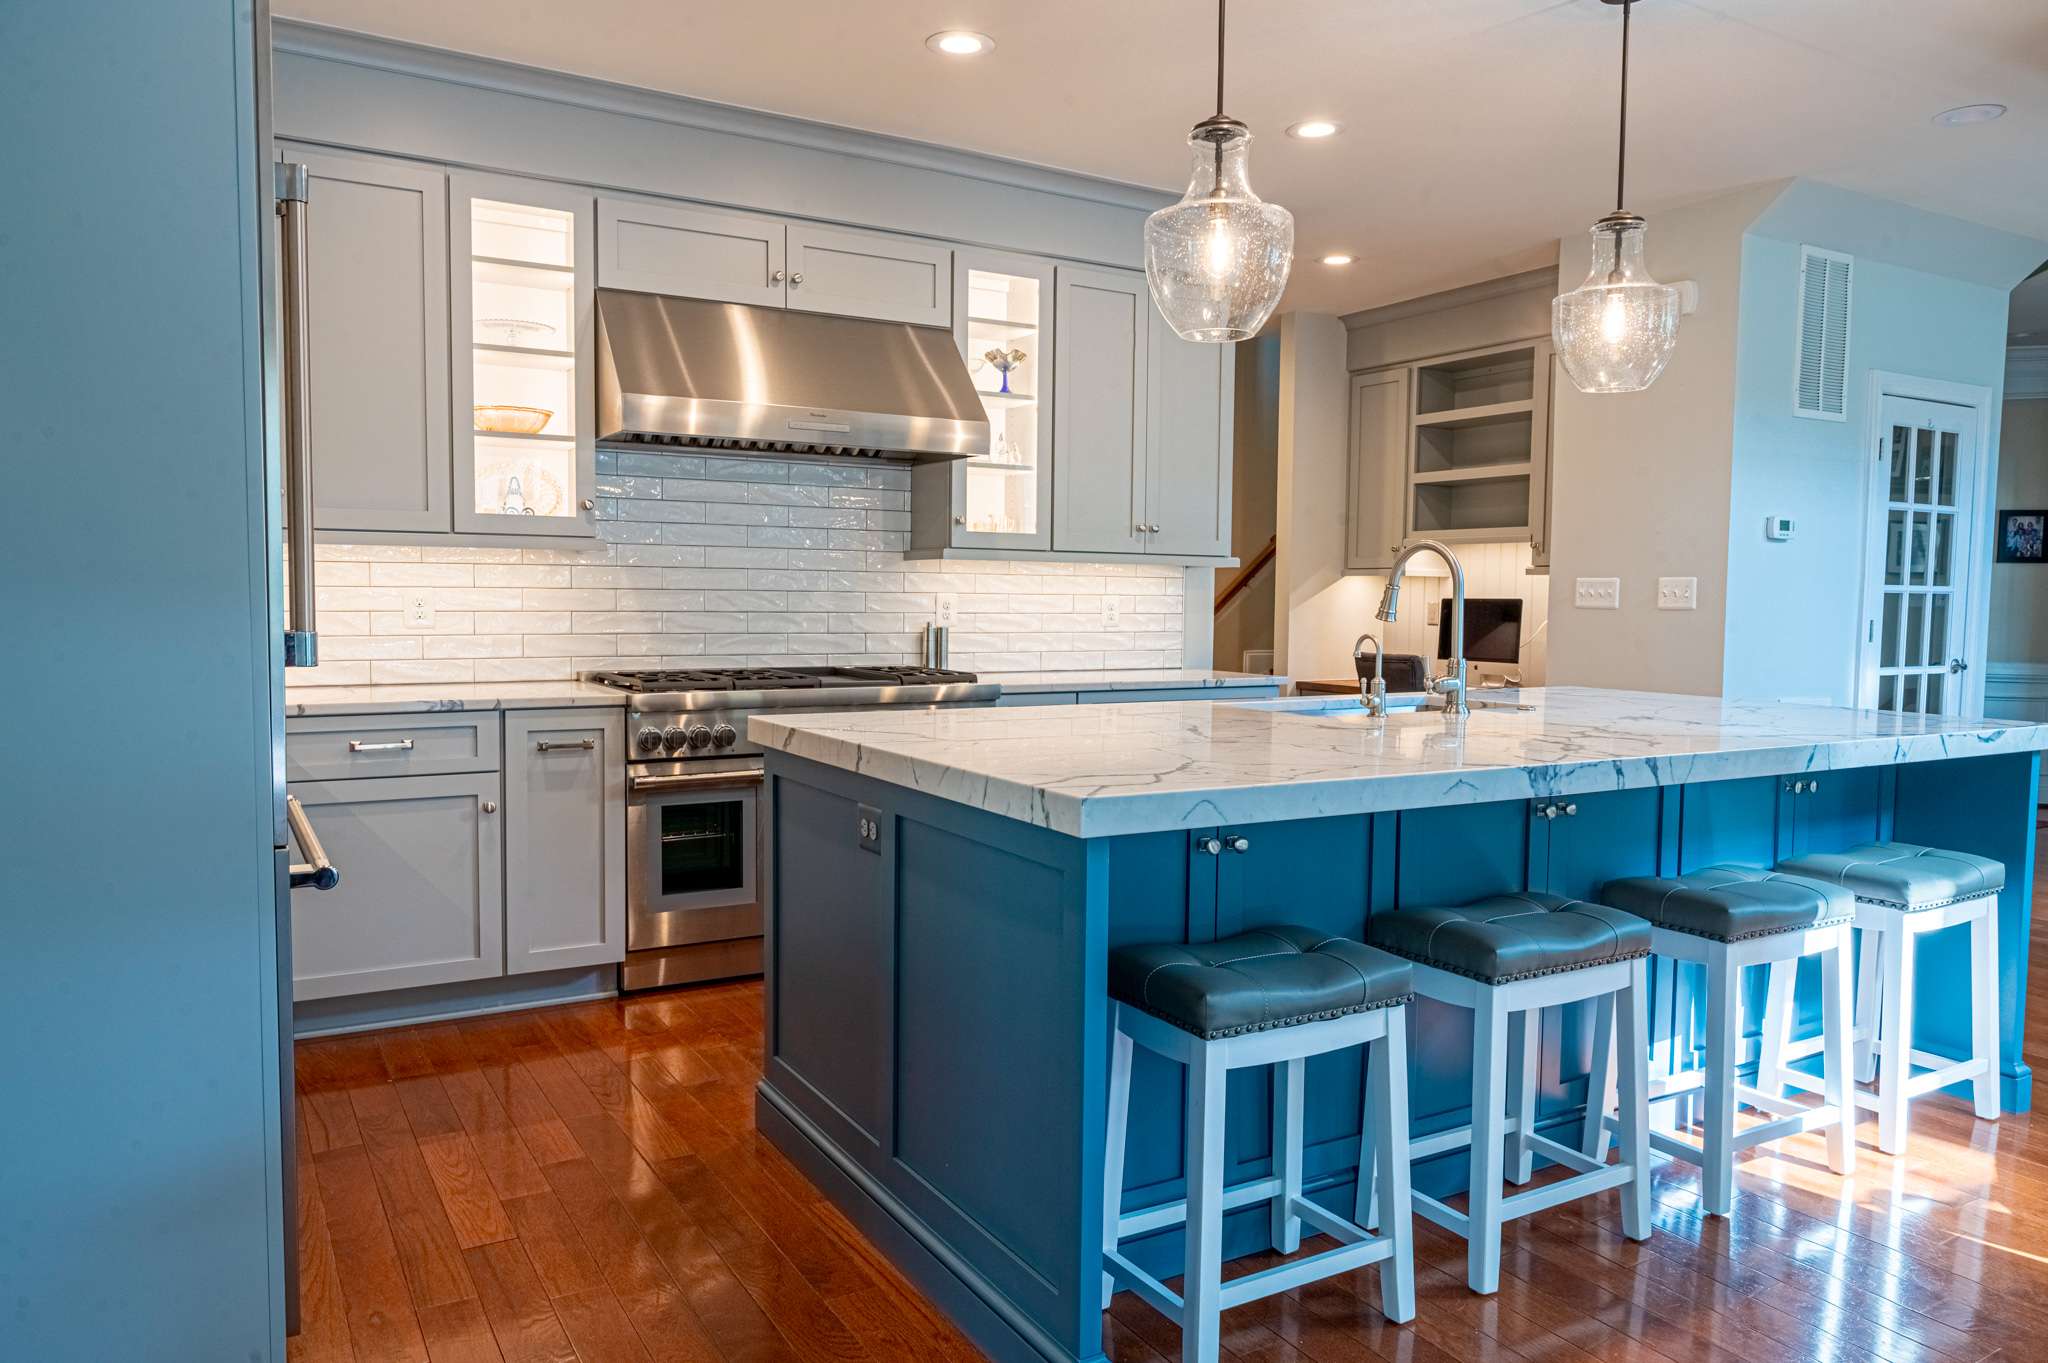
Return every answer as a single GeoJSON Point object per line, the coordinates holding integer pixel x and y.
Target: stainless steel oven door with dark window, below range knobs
{"type": "Point", "coordinates": [693, 854]}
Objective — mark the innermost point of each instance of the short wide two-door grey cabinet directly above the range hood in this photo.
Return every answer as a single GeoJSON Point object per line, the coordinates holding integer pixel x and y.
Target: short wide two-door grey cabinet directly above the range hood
{"type": "Point", "coordinates": [699, 253]}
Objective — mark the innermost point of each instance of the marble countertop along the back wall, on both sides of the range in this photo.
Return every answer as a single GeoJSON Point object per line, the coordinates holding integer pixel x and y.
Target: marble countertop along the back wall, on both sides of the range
{"type": "Point", "coordinates": [302, 701]}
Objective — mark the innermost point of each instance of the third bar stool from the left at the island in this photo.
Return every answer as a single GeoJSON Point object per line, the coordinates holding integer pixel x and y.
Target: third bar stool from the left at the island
{"type": "Point", "coordinates": [1730, 918]}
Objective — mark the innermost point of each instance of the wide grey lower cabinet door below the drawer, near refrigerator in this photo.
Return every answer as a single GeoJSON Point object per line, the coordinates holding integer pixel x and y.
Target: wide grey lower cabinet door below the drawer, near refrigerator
{"type": "Point", "coordinates": [421, 897]}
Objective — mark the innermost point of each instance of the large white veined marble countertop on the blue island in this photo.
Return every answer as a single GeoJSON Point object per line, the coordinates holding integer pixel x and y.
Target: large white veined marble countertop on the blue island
{"type": "Point", "coordinates": [1150, 766]}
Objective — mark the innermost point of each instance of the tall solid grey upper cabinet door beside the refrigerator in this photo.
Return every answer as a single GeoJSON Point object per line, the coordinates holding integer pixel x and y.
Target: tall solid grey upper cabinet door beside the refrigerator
{"type": "Point", "coordinates": [378, 316]}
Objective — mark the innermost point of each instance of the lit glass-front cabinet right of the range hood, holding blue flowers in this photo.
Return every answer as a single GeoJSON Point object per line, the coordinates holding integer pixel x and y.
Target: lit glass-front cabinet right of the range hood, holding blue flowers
{"type": "Point", "coordinates": [1002, 316]}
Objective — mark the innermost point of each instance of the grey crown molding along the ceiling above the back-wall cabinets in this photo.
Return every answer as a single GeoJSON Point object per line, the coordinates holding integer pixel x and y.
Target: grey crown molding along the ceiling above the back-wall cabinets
{"type": "Point", "coordinates": [382, 54]}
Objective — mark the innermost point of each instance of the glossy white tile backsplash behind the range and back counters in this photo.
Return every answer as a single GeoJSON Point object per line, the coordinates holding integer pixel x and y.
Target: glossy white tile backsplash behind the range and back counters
{"type": "Point", "coordinates": [710, 562]}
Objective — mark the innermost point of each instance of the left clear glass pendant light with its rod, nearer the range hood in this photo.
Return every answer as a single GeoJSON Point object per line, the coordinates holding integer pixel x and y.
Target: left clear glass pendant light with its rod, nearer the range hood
{"type": "Point", "coordinates": [1218, 261]}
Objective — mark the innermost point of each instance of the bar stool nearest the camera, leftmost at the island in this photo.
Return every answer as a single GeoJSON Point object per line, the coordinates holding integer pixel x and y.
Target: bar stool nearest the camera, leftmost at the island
{"type": "Point", "coordinates": [1273, 998]}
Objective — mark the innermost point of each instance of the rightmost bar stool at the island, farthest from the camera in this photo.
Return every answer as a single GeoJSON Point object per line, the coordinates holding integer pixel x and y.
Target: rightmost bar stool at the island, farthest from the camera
{"type": "Point", "coordinates": [1904, 891]}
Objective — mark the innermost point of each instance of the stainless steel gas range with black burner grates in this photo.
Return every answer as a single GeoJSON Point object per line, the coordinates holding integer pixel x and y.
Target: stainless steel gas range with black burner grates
{"type": "Point", "coordinates": [695, 836]}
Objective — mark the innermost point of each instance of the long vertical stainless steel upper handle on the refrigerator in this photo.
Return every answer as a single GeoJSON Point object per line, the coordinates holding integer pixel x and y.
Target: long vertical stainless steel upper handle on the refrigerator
{"type": "Point", "coordinates": [302, 637]}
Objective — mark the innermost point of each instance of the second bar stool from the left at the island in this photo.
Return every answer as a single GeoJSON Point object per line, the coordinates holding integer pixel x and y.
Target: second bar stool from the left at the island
{"type": "Point", "coordinates": [1506, 959]}
